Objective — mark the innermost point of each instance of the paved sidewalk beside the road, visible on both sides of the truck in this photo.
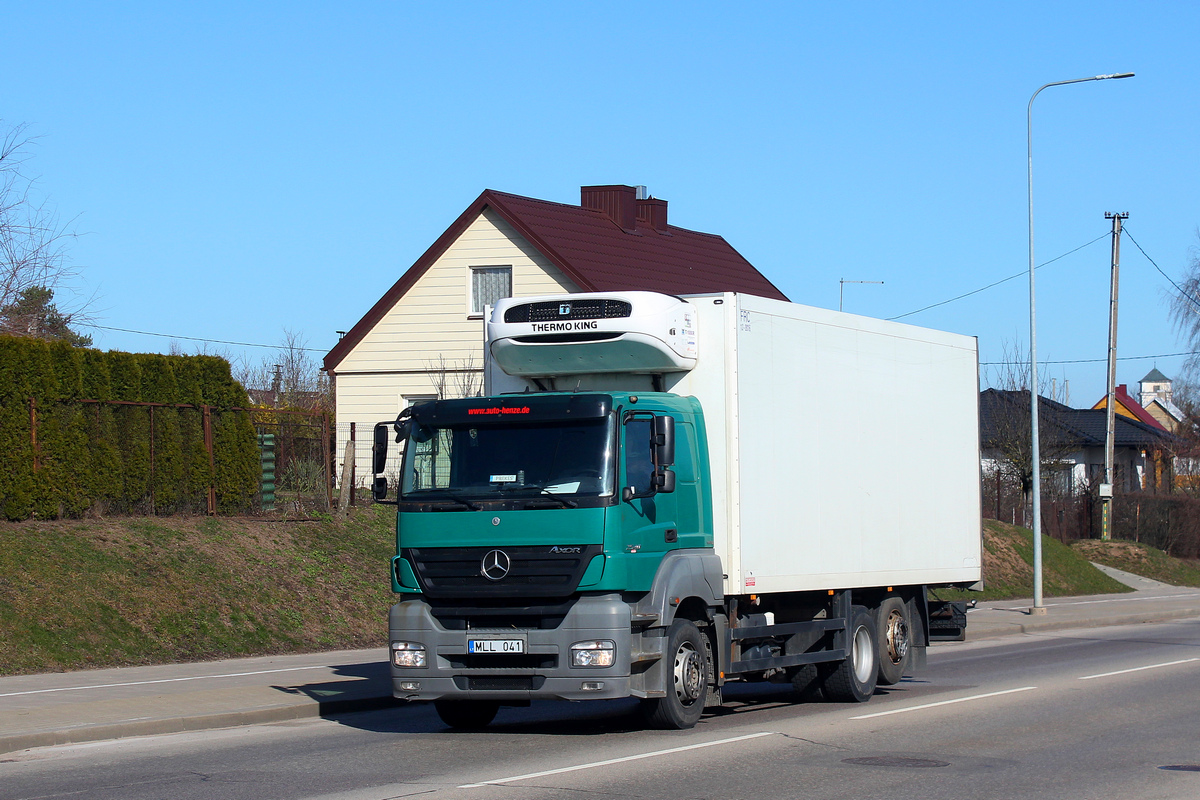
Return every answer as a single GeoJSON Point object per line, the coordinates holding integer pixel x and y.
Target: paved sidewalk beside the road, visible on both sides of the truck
{"type": "Point", "coordinates": [67, 708]}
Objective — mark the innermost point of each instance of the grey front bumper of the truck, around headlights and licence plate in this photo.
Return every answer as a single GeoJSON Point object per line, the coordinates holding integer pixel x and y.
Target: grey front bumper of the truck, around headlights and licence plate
{"type": "Point", "coordinates": [542, 672]}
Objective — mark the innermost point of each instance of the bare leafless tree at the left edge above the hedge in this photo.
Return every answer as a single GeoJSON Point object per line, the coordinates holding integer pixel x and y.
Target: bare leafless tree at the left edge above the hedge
{"type": "Point", "coordinates": [33, 251]}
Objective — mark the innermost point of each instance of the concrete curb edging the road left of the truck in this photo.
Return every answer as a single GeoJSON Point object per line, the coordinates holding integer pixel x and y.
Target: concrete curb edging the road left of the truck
{"type": "Point", "coordinates": [11, 744]}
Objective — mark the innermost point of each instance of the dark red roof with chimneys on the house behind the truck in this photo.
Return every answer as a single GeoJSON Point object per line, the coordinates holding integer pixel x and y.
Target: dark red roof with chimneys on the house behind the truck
{"type": "Point", "coordinates": [620, 244]}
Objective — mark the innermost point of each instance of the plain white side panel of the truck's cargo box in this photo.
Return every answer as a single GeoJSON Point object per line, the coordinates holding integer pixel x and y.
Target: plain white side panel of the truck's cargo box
{"type": "Point", "coordinates": [851, 447]}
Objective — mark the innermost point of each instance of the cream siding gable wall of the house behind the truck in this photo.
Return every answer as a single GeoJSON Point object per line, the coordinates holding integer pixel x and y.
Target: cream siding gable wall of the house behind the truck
{"type": "Point", "coordinates": [430, 338]}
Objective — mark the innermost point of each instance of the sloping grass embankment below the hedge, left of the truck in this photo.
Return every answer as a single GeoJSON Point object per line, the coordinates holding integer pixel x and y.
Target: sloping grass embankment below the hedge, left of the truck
{"type": "Point", "coordinates": [80, 594]}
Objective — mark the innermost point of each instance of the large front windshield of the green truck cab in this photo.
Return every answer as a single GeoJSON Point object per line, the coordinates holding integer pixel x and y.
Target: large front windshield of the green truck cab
{"type": "Point", "coordinates": [569, 458]}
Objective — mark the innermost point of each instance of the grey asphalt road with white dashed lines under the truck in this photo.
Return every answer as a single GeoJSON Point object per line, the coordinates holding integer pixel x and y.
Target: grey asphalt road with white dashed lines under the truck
{"type": "Point", "coordinates": [1075, 714]}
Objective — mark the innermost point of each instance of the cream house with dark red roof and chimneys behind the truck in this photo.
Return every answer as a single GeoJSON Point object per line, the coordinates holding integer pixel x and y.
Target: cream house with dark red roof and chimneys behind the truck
{"type": "Point", "coordinates": [425, 336]}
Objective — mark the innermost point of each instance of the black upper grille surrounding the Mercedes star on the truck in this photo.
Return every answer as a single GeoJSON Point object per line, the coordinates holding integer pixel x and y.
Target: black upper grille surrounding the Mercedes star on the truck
{"type": "Point", "coordinates": [533, 572]}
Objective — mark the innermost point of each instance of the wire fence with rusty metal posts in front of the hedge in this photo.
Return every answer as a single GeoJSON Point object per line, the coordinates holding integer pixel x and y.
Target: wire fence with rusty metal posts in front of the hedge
{"type": "Point", "coordinates": [92, 458]}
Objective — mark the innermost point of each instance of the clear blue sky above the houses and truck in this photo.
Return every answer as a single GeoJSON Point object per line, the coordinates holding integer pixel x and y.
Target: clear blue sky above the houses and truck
{"type": "Point", "coordinates": [243, 169]}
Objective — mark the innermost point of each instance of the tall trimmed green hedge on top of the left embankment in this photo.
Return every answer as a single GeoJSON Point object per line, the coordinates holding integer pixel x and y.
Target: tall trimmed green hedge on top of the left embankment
{"type": "Point", "coordinates": [95, 455]}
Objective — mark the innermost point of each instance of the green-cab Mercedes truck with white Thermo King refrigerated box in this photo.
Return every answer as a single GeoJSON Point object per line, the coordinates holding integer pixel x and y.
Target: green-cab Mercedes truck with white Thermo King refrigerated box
{"type": "Point", "coordinates": [662, 496]}
